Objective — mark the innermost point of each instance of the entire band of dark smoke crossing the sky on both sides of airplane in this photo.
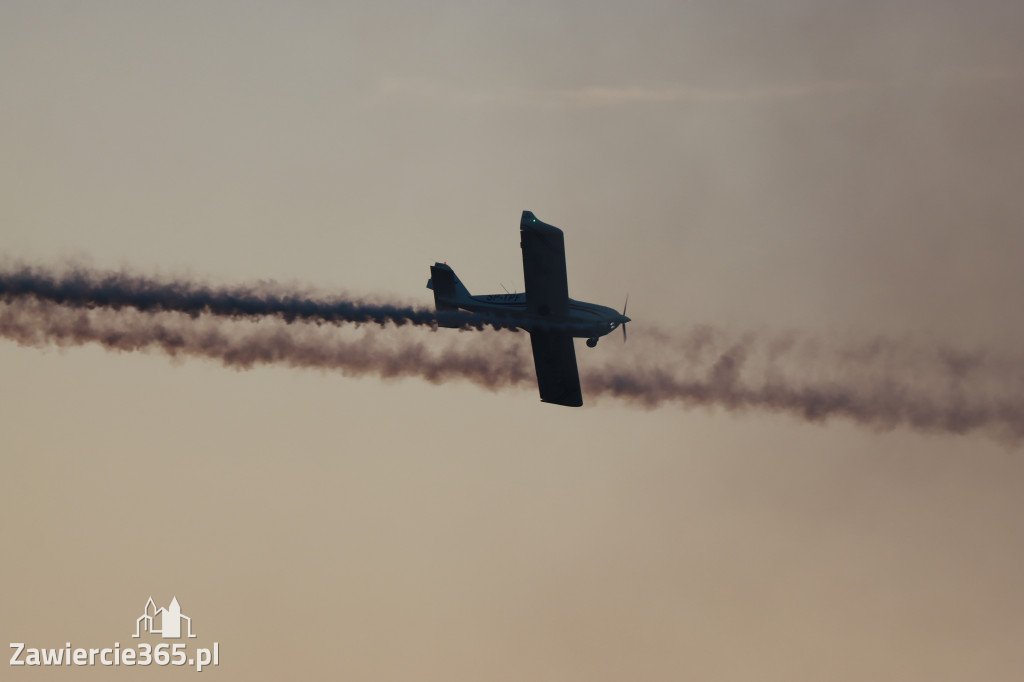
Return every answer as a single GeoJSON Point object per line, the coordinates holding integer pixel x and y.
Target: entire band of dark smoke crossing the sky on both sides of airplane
{"type": "Point", "coordinates": [881, 383]}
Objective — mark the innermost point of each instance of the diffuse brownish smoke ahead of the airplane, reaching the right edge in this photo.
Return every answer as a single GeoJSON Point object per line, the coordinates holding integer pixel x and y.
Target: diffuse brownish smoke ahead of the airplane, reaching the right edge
{"type": "Point", "coordinates": [882, 385]}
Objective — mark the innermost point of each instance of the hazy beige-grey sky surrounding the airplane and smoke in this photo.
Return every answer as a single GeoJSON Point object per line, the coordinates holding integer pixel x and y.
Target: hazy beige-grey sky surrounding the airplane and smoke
{"type": "Point", "coordinates": [830, 169]}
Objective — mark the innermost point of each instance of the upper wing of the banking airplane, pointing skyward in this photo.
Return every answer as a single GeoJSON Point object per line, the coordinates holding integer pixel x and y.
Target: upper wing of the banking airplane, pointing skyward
{"type": "Point", "coordinates": [544, 269]}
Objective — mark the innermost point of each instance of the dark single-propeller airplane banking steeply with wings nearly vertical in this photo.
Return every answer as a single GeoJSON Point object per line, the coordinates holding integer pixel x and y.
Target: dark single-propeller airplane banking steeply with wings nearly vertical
{"type": "Point", "coordinates": [545, 311]}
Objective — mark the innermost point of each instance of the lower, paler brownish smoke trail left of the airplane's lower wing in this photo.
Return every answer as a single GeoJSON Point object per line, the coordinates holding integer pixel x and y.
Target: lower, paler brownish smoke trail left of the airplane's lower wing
{"type": "Point", "coordinates": [39, 324]}
